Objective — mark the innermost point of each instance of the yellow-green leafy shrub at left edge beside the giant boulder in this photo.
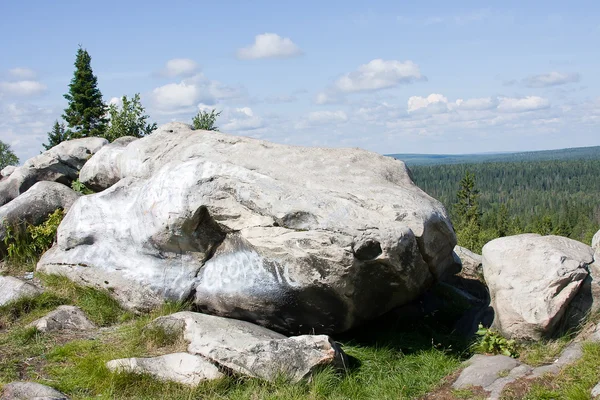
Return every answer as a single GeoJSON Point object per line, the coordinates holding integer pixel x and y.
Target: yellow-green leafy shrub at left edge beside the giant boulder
{"type": "Point", "coordinates": [25, 243]}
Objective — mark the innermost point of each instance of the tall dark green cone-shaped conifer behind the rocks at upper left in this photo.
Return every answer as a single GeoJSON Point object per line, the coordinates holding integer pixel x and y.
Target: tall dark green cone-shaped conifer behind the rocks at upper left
{"type": "Point", "coordinates": [86, 113]}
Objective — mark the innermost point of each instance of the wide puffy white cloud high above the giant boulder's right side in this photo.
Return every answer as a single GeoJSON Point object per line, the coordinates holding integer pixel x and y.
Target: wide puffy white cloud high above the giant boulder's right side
{"type": "Point", "coordinates": [379, 74]}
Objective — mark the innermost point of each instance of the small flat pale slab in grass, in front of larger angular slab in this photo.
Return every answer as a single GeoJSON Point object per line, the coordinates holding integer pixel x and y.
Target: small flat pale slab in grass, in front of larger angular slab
{"type": "Point", "coordinates": [182, 368]}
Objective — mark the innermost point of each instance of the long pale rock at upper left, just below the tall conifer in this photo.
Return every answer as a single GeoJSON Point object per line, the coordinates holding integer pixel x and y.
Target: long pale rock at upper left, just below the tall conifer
{"type": "Point", "coordinates": [59, 164]}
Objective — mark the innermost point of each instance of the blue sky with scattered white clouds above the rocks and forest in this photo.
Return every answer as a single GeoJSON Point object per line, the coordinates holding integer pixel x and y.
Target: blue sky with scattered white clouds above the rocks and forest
{"type": "Point", "coordinates": [391, 76]}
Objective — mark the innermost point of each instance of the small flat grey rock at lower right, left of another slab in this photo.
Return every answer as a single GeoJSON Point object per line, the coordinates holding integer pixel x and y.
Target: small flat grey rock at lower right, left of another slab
{"type": "Point", "coordinates": [484, 370]}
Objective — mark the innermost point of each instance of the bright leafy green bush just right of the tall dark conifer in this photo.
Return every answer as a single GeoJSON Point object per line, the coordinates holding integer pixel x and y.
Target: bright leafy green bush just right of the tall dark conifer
{"type": "Point", "coordinates": [128, 120]}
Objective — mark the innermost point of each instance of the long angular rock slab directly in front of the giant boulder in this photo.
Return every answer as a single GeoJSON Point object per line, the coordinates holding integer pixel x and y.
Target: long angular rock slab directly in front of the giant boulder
{"type": "Point", "coordinates": [251, 350]}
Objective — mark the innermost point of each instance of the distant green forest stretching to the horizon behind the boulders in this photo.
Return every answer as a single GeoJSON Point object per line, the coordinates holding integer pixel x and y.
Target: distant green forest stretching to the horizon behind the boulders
{"type": "Point", "coordinates": [559, 197]}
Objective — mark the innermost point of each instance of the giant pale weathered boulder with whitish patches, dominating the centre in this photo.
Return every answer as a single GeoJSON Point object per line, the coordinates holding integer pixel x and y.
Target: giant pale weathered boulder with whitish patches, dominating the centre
{"type": "Point", "coordinates": [297, 239]}
